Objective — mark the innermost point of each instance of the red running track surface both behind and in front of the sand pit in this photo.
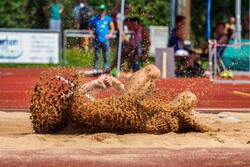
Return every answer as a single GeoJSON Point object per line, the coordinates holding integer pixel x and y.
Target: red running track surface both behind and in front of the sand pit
{"type": "Point", "coordinates": [16, 86]}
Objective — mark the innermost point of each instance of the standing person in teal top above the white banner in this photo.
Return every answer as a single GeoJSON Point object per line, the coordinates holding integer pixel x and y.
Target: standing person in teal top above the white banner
{"type": "Point", "coordinates": [55, 10]}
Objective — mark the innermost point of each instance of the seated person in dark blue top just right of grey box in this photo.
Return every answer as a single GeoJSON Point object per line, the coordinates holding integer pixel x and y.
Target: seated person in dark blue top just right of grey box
{"type": "Point", "coordinates": [181, 51]}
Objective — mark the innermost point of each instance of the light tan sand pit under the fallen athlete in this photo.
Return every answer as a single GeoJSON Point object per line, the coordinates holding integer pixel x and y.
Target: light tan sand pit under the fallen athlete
{"type": "Point", "coordinates": [16, 133]}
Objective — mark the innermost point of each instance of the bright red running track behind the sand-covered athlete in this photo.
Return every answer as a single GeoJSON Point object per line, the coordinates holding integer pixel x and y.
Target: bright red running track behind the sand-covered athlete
{"type": "Point", "coordinates": [16, 86]}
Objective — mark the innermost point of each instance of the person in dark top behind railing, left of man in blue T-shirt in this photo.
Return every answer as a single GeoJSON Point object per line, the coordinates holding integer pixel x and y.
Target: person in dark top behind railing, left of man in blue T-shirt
{"type": "Point", "coordinates": [85, 14]}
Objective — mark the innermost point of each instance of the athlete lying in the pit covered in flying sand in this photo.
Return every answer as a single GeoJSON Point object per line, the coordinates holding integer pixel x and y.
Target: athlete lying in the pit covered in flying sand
{"type": "Point", "coordinates": [135, 109]}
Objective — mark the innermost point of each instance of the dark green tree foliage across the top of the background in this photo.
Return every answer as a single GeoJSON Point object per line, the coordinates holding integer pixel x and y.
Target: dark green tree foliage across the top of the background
{"type": "Point", "coordinates": [29, 13]}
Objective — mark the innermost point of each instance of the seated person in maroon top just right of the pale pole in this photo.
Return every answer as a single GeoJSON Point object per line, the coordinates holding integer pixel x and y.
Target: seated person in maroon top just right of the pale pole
{"type": "Point", "coordinates": [137, 49]}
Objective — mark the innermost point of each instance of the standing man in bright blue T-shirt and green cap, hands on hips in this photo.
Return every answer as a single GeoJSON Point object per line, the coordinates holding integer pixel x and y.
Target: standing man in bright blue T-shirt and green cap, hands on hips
{"type": "Point", "coordinates": [101, 28]}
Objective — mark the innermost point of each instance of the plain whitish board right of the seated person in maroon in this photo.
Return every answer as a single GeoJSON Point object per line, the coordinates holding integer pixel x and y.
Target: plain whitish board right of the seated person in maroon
{"type": "Point", "coordinates": [158, 37]}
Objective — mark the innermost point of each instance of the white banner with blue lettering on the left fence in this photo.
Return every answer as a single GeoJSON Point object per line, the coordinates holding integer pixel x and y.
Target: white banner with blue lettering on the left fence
{"type": "Point", "coordinates": [25, 47]}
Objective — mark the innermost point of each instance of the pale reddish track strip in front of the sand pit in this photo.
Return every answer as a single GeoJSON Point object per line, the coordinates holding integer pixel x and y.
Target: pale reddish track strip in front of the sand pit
{"type": "Point", "coordinates": [123, 157]}
